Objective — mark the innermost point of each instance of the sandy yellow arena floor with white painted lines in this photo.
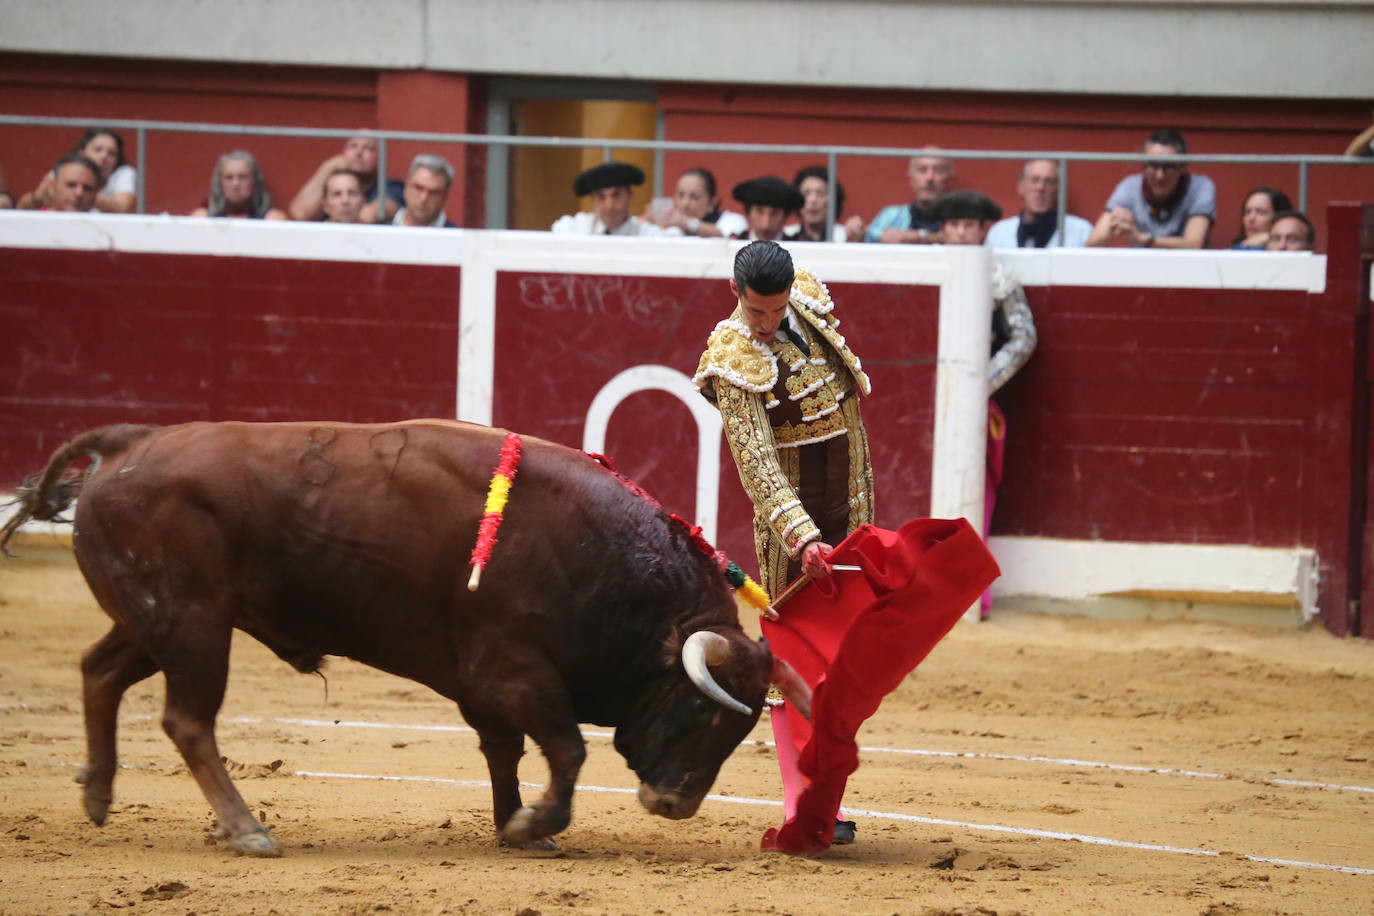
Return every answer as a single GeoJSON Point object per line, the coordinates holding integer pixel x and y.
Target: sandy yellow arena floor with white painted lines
{"type": "Point", "coordinates": [1033, 766]}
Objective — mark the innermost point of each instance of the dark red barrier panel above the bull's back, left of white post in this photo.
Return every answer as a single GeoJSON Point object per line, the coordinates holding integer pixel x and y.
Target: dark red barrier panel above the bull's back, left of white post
{"type": "Point", "coordinates": [93, 339]}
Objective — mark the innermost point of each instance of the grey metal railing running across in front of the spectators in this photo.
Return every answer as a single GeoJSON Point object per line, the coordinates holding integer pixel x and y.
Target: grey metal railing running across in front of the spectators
{"type": "Point", "coordinates": [608, 145]}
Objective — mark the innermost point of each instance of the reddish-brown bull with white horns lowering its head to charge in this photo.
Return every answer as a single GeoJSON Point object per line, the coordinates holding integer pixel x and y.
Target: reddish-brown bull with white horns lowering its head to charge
{"type": "Point", "coordinates": [332, 539]}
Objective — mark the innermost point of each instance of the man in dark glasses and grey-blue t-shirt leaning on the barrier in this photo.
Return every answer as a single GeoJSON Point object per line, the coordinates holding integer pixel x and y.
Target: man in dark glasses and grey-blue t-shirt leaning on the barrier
{"type": "Point", "coordinates": [1166, 207]}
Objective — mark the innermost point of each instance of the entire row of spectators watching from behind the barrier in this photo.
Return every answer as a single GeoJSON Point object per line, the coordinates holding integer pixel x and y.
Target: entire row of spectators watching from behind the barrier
{"type": "Point", "coordinates": [1166, 205]}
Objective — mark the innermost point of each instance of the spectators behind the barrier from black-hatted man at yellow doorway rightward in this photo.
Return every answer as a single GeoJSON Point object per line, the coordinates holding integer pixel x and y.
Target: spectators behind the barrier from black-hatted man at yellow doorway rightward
{"type": "Point", "coordinates": [1163, 207]}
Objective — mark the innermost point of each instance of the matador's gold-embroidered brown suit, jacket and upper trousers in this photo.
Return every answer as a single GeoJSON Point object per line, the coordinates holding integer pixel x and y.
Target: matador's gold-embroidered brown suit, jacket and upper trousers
{"type": "Point", "coordinates": [795, 429]}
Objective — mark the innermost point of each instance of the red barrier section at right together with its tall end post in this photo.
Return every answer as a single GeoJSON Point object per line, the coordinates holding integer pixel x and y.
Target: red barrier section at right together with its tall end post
{"type": "Point", "coordinates": [1204, 417]}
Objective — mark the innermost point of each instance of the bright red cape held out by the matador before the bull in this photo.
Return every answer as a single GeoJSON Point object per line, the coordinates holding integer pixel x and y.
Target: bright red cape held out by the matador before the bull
{"type": "Point", "coordinates": [854, 638]}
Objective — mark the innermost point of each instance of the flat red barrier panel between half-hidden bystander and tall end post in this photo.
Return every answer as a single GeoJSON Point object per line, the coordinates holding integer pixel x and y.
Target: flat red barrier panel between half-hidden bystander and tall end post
{"type": "Point", "coordinates": [1189, 414]}
